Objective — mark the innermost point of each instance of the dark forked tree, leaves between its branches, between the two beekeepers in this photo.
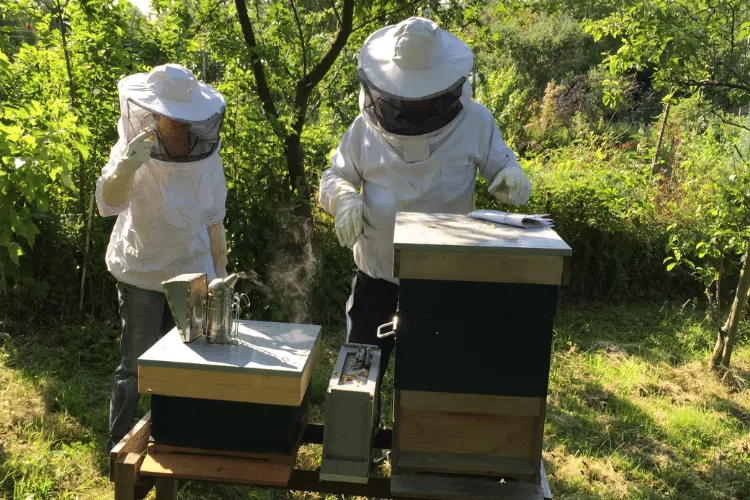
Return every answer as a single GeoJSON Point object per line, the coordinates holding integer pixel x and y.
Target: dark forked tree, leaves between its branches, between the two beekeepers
{"type": "Point", "coordinates": [288, 109]}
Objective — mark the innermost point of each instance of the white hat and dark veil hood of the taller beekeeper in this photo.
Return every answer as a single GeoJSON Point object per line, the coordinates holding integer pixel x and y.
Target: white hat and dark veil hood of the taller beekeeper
{"type": "Point", "coordinates": [413, 77]}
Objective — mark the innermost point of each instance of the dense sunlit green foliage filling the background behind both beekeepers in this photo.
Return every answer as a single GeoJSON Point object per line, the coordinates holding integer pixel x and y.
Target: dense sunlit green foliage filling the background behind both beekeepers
{"type": "Point", "coordinates": [537, 70]}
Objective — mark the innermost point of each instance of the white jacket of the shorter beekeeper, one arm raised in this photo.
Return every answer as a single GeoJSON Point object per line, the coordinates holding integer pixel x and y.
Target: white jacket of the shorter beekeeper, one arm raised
{"type": "Point", "coordinates": [161, 231]}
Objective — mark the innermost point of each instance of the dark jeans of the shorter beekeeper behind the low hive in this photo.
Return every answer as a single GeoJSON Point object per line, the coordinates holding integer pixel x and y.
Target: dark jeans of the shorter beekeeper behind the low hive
{"type": "Point", "coordinates": [145, 318]}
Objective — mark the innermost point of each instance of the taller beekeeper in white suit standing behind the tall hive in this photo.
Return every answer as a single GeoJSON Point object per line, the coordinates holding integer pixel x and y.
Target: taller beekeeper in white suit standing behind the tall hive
{"type": "Point", "coordinates": [415, 146]}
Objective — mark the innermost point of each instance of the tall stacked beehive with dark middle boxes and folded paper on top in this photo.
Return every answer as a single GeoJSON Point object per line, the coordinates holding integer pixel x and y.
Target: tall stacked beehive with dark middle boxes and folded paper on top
{"type": "Point", "coordinates": [477, 301]}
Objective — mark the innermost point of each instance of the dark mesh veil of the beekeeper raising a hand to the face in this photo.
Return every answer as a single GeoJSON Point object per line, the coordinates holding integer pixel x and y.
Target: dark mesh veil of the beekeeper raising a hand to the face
{"type": "Point", "coordinates": [197, 139]}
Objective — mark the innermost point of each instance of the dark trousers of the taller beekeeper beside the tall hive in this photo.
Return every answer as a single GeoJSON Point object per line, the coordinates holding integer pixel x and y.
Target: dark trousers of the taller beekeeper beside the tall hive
{"type": "Point", "coordinates": [374, 302]}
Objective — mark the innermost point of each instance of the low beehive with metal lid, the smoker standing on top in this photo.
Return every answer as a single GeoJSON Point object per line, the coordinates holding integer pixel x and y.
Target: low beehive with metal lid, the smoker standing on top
{"type": "Point", "coordinates": [252, 396]}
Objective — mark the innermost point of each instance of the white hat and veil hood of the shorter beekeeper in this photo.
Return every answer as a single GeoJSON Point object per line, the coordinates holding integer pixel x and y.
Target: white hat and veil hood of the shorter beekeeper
{"type": "Point", "coordinates": [171, 91]}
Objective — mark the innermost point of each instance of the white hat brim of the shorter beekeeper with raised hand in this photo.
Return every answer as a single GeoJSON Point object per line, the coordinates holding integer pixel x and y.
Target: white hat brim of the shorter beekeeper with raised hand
{"type": "Point", "coordinates": [206, 103]}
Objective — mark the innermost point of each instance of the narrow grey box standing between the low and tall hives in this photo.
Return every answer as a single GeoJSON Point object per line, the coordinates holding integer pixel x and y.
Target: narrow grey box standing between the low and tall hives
{"type": "Point", "coordinates": [351, 411]}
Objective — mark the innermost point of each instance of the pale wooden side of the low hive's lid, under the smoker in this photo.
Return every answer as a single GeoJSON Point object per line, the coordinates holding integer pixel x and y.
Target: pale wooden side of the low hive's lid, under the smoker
{"type": "Point", "coordinates": [224, 386]}
